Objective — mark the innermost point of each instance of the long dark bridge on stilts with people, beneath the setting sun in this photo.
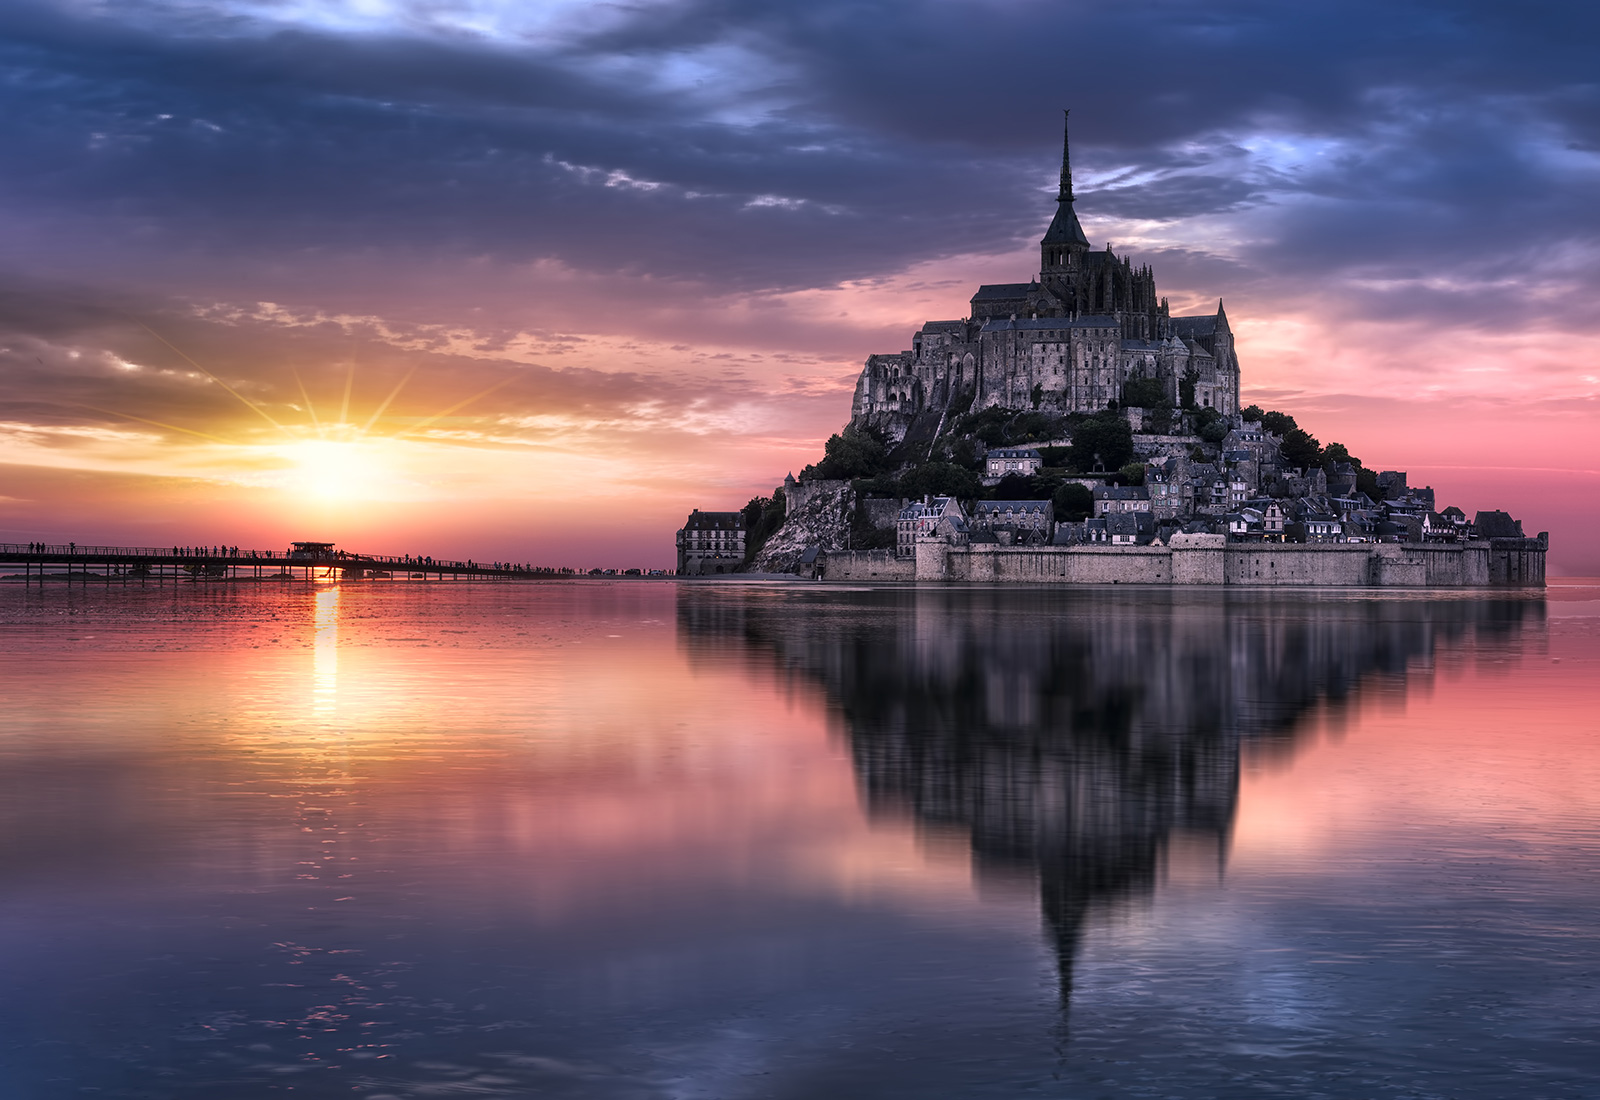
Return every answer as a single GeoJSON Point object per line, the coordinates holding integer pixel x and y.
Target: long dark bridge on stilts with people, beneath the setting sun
{"type": "Point", "coordinates": [305, 562]}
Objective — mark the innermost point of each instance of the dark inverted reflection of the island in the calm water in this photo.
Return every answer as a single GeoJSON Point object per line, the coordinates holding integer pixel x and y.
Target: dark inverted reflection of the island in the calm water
{"type": "Point", "coordinates": [1082, 738]}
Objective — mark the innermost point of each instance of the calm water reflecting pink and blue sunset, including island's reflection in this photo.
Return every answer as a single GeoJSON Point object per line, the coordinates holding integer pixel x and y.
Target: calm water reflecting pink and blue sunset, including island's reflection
{"type": "Point", "coordinates": [654, 840]}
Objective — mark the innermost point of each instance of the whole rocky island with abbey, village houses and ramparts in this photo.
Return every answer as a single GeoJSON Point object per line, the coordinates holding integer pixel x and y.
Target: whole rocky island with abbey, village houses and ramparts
{"type": "Point", "coordinates": [1073, 431]}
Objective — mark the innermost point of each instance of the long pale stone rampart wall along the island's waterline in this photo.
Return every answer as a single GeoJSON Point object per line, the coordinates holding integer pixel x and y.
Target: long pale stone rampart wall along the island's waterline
{"type": "Point", "coordinates": [1209, 560]}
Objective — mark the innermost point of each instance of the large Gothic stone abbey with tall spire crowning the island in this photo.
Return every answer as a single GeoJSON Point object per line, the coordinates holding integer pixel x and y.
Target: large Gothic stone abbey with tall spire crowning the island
{"type": "Point", "coordinates": [1068, 341]}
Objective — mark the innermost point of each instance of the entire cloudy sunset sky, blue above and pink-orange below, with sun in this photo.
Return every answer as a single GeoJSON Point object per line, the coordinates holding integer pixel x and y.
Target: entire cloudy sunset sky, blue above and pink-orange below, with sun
{"type": "Point", "coordinates": [530, 281]}
